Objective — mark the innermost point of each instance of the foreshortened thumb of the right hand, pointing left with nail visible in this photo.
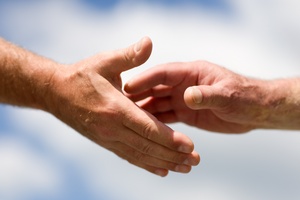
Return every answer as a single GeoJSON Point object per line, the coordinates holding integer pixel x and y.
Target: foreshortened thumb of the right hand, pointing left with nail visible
{"type": "Point", "coordinates": [204, 97]}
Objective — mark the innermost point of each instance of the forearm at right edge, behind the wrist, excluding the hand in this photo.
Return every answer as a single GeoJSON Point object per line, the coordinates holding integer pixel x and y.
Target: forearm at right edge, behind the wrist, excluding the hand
{"type": "Point", "coordinates": [282, 103]}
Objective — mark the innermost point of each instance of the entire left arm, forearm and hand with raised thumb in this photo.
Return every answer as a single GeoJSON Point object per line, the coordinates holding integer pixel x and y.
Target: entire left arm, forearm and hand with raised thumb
{"type": "Point", "coordinates": [87, 96]}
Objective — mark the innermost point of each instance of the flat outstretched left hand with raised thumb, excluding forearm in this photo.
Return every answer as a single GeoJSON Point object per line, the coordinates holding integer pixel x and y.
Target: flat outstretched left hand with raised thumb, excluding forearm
{"type": "Point", "coordinates": [88, 97]}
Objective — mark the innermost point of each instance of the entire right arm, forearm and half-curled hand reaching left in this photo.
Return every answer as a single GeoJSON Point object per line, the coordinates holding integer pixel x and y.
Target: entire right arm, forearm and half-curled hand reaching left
{"type": "Point", "coordinates": [211, 97]}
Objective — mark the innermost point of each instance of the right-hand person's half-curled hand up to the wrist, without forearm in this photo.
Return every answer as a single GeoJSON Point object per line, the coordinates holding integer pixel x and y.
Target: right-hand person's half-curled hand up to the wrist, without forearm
{"type": "Point", "coordinates": [200, 94]}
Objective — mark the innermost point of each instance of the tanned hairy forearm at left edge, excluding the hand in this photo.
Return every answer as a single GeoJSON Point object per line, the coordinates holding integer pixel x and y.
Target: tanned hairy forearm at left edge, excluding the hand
{"type": "Point", "coordinates": [24, 76]}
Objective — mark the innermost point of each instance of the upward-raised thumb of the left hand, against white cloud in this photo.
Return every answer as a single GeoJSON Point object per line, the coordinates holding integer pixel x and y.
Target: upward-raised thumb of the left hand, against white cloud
{"type": "Point", "coordinates": [121, 60]}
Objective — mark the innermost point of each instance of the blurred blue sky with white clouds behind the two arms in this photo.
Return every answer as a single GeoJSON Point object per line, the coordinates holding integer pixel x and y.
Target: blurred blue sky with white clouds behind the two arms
{"type": "Point", "coordinates": [41, 158]}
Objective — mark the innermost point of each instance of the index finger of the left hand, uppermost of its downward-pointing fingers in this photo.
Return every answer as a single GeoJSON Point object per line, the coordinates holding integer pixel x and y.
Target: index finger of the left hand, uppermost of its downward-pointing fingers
{"type": "Point", "coordinates": [147, 126]}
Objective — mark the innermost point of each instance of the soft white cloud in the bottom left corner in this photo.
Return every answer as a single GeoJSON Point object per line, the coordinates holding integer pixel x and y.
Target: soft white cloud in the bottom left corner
{"type": "Point", "coordinates": [23, 170]}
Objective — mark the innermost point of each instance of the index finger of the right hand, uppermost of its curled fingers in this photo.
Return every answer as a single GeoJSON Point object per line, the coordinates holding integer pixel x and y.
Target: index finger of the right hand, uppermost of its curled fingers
{"type": "Point", "coordinates": [168, 74]}
